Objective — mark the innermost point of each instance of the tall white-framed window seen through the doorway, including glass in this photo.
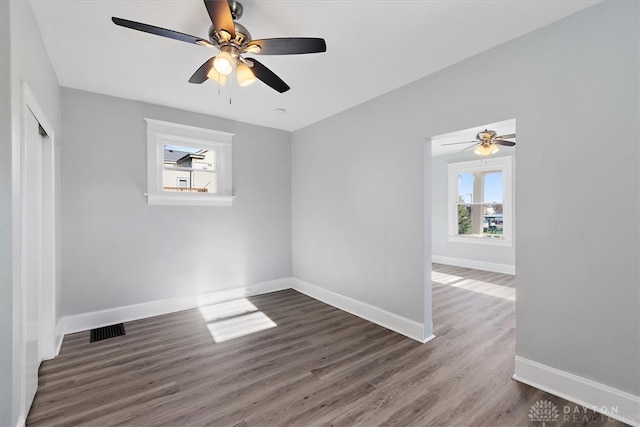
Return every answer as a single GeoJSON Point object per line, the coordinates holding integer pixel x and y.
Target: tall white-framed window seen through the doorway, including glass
{"type": "Point", "coordinates": [481, 201]}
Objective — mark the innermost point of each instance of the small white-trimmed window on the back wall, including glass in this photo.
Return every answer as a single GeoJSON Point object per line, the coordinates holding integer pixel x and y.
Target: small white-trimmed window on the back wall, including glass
{"type": "Point", "coordinates": [187, 165]}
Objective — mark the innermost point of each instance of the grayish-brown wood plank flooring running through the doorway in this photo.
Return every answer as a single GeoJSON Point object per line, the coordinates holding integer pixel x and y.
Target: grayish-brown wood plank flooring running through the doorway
{"type": "Point", "coordinates": [318, 367]}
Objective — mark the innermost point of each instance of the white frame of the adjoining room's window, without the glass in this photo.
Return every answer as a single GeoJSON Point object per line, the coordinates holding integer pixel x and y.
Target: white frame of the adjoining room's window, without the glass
{"type": "Point", "coordinates": [502, 164]}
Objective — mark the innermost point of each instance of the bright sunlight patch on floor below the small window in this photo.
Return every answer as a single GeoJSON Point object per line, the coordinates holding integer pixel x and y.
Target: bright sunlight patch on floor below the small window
{"type": "Point", "coordinates": [234, 319]}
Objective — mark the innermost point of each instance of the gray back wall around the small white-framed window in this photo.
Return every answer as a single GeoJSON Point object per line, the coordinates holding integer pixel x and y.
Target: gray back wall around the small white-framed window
{"type": "Point", "coordinates": [117, 250]}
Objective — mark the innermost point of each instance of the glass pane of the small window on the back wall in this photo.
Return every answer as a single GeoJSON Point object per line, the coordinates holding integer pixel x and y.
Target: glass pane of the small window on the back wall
{"type": "Point", "coordinates": [189, 169]}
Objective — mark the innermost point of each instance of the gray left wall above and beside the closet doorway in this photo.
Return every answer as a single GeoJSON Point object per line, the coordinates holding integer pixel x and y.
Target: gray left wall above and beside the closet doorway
{"type": "Point", "coordinates": [23, 59]}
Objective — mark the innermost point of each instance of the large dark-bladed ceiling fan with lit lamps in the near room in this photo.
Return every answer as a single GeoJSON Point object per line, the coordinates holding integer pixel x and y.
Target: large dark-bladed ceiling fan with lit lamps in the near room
{"type": "Point", "coordinates": [233, 40]}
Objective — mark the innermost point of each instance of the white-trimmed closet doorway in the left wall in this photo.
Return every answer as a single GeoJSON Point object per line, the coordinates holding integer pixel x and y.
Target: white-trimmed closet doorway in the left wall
{"type": "Point", "coordinates": [36, 295]}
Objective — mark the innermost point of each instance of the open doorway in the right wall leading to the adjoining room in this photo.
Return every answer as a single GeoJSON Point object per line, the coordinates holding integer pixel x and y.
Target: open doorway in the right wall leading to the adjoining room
{"type": "Point", "coordinates": [471, 197]}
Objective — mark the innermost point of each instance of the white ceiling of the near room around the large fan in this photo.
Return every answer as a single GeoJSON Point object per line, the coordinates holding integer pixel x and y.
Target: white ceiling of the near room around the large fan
{"type": "Point", "coordinates": [373, 47]}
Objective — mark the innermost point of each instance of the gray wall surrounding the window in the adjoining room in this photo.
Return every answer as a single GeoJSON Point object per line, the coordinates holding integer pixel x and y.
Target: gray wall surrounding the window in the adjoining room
{"type": "Point", "coordinates": [441, 246]}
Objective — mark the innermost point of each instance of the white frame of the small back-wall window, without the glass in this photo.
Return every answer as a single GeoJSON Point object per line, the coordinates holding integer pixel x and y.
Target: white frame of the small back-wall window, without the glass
{"type": "Point", "coordinates": [159, 134]}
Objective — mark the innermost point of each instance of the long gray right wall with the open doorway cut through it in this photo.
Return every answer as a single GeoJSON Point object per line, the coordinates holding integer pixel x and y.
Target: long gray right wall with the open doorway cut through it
{"type": "Point", "coordinates": [358, 218]}
